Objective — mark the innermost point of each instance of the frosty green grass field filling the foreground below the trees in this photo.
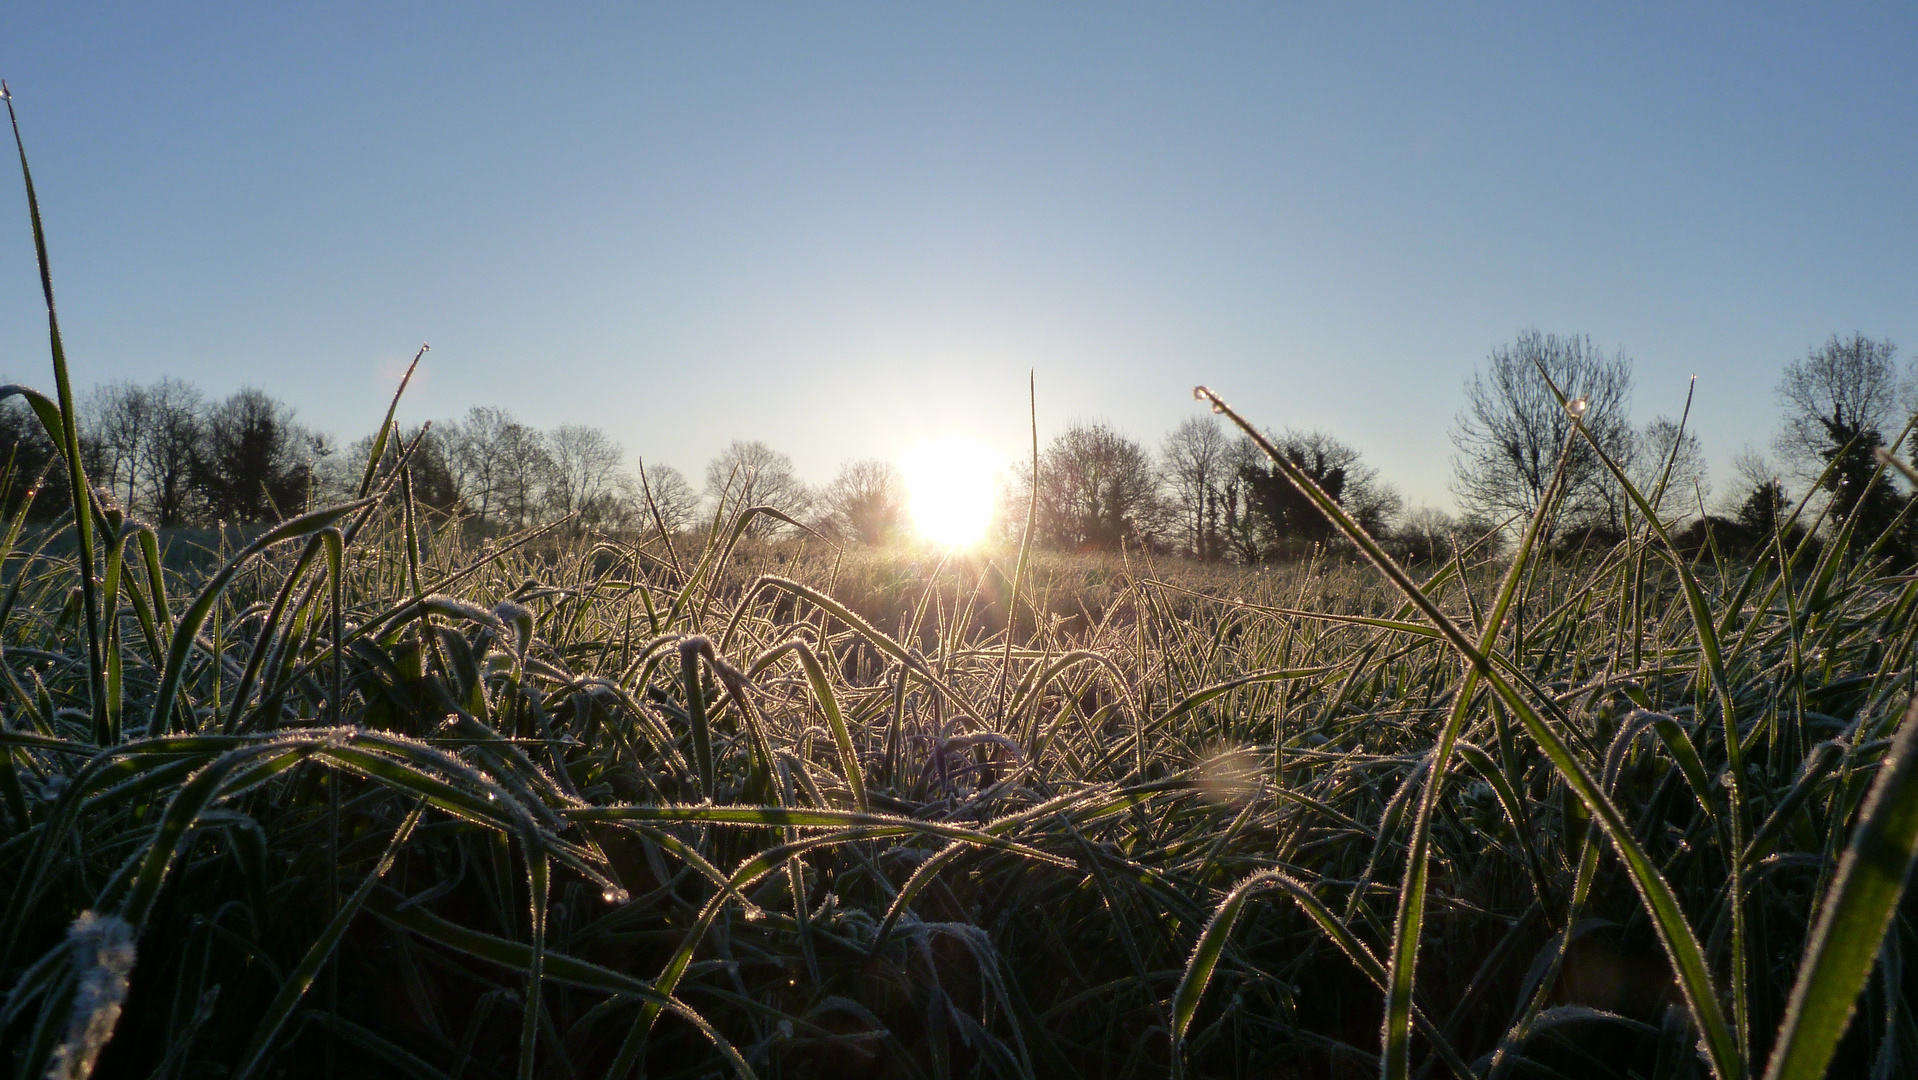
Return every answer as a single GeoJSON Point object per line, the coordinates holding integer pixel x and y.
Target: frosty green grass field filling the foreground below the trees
{"type": "Point", "coordinates": [367, 803]}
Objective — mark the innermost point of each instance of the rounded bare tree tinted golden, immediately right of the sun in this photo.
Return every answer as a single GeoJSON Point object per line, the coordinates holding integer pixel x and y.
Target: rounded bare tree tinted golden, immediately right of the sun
{"type": "Point", "coordinates": [1096, 490]}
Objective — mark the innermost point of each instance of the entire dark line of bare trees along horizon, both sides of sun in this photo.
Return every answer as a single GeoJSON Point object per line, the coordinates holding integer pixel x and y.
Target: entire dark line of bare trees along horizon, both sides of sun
{"type": "Point", "coordinates": [1543, 411]}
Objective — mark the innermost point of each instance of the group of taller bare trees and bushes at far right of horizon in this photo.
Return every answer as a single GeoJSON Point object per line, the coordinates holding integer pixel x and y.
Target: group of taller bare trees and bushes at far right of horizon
{"type": "Point", "coordinates": [1844, 404]}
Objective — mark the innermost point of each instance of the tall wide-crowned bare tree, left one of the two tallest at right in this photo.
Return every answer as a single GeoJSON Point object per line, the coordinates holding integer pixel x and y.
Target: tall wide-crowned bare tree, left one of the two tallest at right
{"type": "Point", "coordinates": [1512, 431]}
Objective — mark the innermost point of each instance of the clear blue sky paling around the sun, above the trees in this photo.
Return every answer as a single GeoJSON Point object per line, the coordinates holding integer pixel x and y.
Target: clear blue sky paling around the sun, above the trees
{"type": "Point", "coordinates": [845, 227]}
